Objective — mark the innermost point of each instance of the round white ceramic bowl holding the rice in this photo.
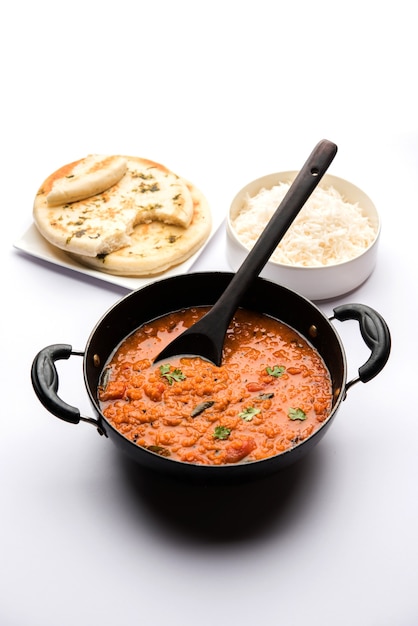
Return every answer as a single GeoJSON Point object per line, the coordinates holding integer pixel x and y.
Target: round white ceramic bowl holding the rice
{"type": "Point", "coordinates": [316, 283]}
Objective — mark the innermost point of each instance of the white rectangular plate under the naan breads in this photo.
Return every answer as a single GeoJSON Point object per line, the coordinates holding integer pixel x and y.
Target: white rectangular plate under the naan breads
{"type": "Point", "coordinates": [33, 244]}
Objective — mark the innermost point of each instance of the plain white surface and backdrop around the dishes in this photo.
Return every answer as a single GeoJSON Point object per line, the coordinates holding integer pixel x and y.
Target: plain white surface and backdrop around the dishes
{"type": "Point", "coordinates": [222, 93]}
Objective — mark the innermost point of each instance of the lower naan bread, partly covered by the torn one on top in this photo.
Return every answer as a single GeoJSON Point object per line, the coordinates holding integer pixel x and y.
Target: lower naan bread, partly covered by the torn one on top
{"type": "Point", "coordinates": [157, 246]}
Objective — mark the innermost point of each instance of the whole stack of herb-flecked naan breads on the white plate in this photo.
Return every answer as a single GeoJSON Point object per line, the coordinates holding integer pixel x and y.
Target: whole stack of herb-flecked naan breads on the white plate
{"type": "Point", "coordinates": [122, 215]}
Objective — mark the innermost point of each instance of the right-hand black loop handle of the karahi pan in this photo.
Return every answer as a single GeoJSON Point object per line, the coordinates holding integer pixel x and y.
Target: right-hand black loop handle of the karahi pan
{"type": "Point", "coordinates": [375, 333]}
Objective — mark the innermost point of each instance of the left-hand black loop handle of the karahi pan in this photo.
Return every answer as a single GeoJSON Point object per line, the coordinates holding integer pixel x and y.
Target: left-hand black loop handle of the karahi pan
{"type": "Point", "coordinates": [45, 381]}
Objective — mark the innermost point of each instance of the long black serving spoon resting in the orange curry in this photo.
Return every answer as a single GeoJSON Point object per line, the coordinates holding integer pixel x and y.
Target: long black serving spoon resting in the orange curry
{"type": "Point", "coordinates": [206, 337]}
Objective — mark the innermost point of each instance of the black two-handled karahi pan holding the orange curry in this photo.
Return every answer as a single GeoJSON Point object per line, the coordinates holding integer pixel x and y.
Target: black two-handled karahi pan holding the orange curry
{"type": "Point", "coordinates": [203, 289]}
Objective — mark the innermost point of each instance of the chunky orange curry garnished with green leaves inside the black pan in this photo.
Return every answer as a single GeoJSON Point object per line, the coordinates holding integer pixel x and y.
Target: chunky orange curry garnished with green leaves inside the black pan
{"type": "Point", "coordinates": [271, 392]}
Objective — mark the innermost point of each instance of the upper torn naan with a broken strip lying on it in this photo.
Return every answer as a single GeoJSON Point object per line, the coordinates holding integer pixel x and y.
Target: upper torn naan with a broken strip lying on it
{"type": "Point", "coordinates": [146, 192]}
